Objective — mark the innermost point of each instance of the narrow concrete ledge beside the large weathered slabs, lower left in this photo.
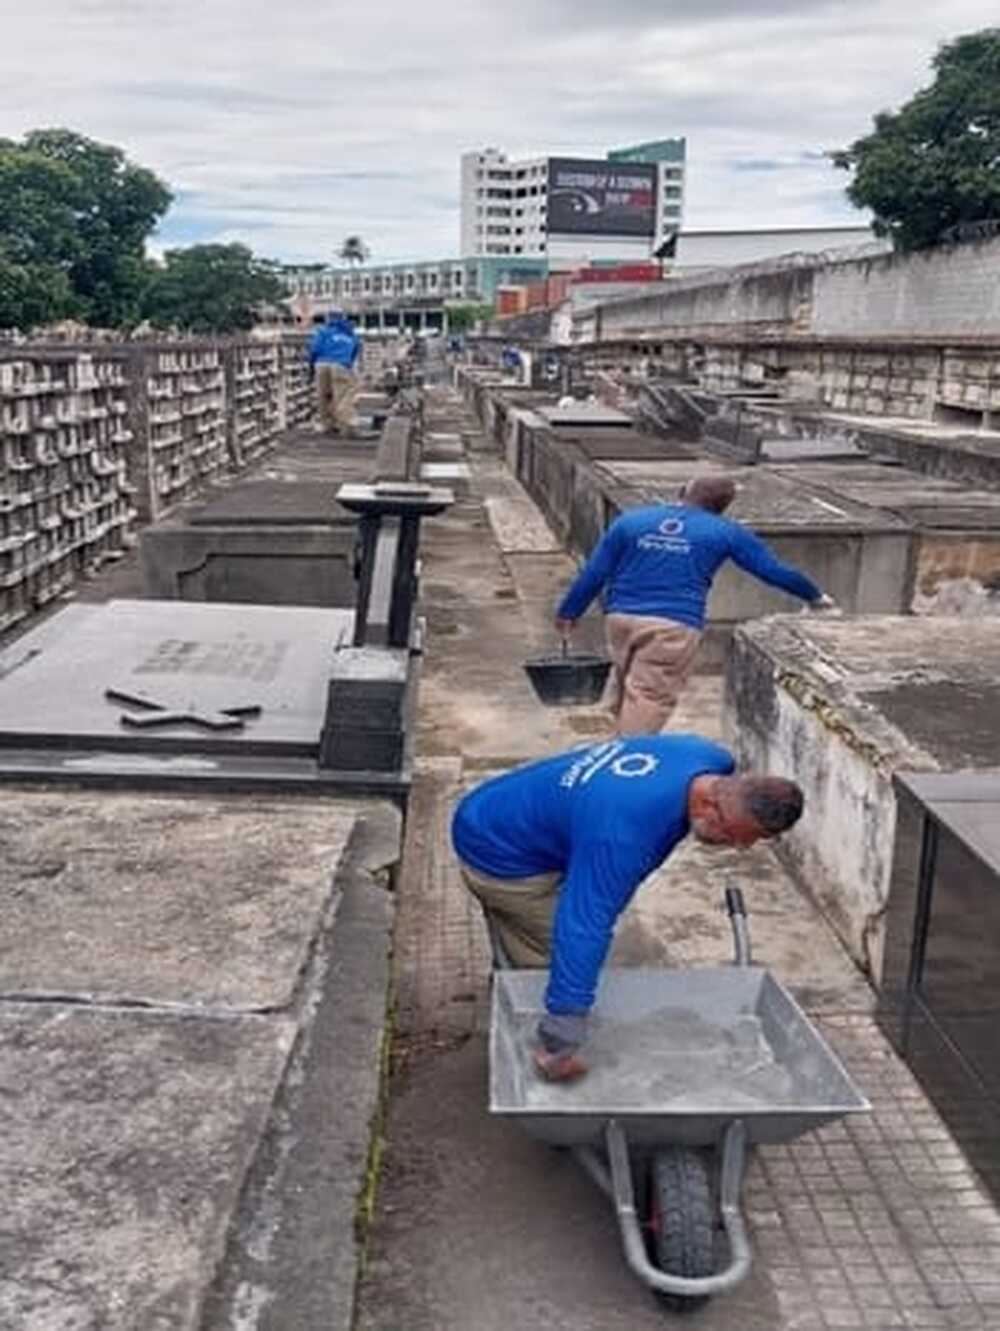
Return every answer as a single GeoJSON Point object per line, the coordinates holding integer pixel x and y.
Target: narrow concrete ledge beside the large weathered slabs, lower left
{"type": "Point", "coordinates": [298, 1246]}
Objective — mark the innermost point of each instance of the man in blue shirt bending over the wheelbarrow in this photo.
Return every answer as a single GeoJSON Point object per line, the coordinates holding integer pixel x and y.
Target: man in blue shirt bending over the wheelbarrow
{"type": "Point", "coordinates": [556, 851]}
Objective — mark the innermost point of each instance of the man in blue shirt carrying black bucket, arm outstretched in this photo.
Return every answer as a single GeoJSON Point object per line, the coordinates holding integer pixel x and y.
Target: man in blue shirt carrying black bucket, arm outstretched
{"type": "Point", "coordinates": [656, 568]}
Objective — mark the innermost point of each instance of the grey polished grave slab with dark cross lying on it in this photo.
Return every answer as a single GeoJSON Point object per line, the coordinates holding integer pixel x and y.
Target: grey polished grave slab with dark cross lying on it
{"type": "Point", "coordinates": [179, 689]}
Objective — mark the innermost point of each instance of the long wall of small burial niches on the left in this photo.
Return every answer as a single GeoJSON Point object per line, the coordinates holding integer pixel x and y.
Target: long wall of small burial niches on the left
{"type": "Point", "coordinates": [99, 437]}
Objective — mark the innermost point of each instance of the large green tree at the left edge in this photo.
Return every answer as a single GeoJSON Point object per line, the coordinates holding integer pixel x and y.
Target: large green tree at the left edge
{"type": "Point", "coordinates": [75, 216]}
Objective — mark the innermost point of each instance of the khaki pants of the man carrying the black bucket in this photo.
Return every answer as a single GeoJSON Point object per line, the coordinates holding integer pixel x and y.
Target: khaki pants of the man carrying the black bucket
{"type": "Point", "coordinates": [652, 662]}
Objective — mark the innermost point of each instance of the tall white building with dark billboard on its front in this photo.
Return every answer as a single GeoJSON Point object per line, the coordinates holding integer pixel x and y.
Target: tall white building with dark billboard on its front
{"type": "Point", "coordinates": [572, 212]}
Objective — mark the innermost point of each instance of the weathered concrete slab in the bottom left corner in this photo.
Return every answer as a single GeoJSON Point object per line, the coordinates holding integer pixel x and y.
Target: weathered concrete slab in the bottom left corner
{"type": "Point", "coordinates": [126, 1145]}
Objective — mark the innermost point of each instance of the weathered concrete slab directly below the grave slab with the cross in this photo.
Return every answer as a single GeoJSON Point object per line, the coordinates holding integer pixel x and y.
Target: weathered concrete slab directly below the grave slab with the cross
{"type": "Point", "coordinates": [163, 900]}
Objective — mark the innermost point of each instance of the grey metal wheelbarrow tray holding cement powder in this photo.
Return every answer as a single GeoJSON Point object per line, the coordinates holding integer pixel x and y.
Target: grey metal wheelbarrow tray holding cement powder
{"type": "Point", "coordinates": [676, 1056]}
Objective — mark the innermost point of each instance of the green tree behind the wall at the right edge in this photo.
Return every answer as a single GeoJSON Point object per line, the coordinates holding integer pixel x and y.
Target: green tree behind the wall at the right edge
{"type": "Point", "coordinates": [935, 163]}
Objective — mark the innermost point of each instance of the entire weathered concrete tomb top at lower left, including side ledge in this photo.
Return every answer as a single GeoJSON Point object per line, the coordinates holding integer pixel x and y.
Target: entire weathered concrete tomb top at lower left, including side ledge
{"type": "Point", "coordinates": [190, 1113]}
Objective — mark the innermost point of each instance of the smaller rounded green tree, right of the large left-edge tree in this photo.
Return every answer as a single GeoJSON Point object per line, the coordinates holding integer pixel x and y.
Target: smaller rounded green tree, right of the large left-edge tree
{"type": "Point", "coordinates": [212, 289]}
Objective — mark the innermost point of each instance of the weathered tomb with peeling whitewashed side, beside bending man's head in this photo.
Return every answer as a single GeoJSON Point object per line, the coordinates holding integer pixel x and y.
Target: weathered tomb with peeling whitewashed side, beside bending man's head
{"type": "Point", "coordinates": [844, 705]}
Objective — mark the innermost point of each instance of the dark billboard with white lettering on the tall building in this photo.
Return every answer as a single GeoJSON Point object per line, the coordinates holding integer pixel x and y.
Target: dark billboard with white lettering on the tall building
{"type": "Point", "coordinates": [601, 199]}
